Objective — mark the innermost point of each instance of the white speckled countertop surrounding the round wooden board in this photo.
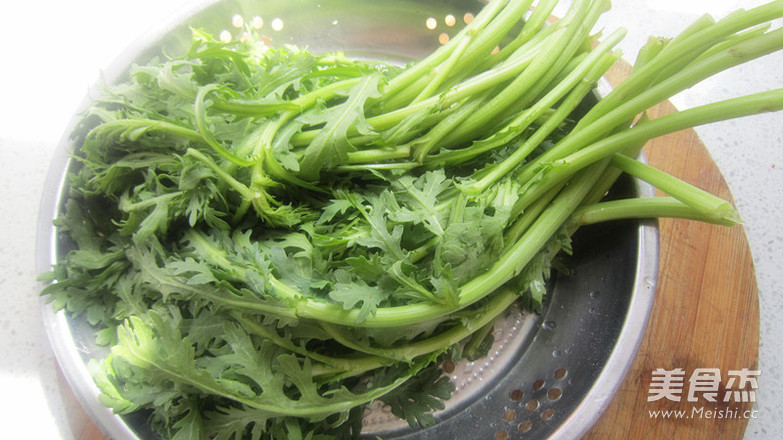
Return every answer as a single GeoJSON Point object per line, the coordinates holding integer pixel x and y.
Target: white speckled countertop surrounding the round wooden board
{"type": "Point", "coordinates": [53, 50]}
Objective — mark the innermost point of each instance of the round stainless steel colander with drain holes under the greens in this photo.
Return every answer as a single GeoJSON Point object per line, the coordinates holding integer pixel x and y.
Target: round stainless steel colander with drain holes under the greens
{"type": "Point", "coordinates": [547, 376]}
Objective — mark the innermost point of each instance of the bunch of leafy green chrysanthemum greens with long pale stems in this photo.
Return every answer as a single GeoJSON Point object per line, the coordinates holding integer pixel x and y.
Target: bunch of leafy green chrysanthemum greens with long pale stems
{"type": "Point", "coordinates": [271, 239]}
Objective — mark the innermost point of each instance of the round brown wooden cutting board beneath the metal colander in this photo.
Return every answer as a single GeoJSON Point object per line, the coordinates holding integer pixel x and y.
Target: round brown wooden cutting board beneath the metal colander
{"type": "Point", "coordinates": [705, 315]}
